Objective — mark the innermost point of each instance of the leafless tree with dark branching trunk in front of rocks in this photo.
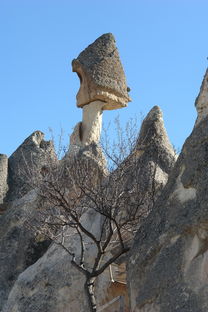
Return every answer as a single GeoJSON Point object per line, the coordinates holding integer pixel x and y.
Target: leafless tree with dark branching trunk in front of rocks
{"type": "Point", "coordinates": [71, 189]}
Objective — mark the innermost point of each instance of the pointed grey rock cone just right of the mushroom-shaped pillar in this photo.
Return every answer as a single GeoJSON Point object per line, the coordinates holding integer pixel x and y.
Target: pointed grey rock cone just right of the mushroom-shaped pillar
{"type": "Point", "coordinates": [145, 171]}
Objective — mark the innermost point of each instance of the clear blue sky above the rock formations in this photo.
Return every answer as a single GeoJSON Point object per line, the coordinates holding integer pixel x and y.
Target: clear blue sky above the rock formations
{"type": "Point", "coordinates": [163, 46]}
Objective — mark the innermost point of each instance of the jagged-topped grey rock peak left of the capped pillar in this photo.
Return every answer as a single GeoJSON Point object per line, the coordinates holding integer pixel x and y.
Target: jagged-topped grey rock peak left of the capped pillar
{"type": "Point", "coordinates": [26, 162]}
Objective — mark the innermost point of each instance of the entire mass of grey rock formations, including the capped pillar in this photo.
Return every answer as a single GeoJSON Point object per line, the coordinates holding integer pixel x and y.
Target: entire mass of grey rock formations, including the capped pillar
{"type": "Point", "coordinates": [167, 262]}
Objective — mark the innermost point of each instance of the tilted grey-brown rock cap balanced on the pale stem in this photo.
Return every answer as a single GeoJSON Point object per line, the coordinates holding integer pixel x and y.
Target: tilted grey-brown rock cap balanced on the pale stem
{"type": "Point", "coordinates": [101, 74]}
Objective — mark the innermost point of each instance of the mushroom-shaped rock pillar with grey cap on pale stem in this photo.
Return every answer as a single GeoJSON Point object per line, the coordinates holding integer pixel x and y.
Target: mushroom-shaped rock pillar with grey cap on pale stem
{"type": "Point", "coordinates": [102, 87]}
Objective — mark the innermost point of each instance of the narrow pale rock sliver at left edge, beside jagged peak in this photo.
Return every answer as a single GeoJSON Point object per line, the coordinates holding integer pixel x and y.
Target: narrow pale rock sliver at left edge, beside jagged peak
{"type": "Point", "coordinates": [3, 176]}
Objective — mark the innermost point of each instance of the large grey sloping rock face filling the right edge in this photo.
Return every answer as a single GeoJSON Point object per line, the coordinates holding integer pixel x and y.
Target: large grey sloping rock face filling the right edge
{"type": "Point", "coordinates": [167, 270]}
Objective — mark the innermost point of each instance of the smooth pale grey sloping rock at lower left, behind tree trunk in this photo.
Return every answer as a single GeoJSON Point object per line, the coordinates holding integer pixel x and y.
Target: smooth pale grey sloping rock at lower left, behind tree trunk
{"type": "Point", "coordinates": [53, 283]}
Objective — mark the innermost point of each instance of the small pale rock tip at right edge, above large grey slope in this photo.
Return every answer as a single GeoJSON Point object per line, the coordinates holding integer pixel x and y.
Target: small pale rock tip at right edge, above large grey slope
{"type": "Point", "coordinates": [201, 102]}
